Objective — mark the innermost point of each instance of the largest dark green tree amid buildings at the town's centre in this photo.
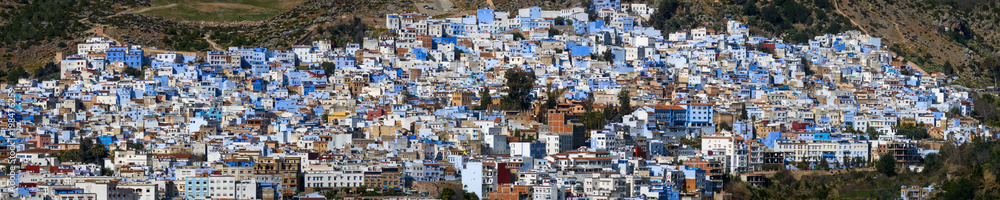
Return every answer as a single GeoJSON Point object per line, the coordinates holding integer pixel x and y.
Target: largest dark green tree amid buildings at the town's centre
{"type": "Point", "coordinates": [519, 85]}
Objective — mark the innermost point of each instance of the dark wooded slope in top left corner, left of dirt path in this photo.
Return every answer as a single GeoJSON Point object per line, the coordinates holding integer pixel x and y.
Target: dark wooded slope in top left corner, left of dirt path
{"type": "Point", "coordinates": [34, 31]}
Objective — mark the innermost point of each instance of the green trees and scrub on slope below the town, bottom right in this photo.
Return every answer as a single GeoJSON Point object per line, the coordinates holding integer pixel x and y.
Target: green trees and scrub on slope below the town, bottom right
{"type": "Point", "coordinates": [967, 171]}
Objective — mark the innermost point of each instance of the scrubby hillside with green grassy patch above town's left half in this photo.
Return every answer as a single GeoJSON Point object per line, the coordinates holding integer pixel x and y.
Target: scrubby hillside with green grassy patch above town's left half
{"type": "Point", "coordinates": [33, 32]}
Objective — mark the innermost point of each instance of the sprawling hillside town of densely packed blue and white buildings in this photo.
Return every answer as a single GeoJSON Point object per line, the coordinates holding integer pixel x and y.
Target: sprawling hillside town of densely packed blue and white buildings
{"type": "Point", "coordinates": [577, 103]}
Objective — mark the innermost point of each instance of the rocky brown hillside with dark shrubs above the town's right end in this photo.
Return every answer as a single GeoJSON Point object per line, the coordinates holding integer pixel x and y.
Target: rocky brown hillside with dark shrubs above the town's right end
{"type": "Point", "coordinates": [953, 37]}
